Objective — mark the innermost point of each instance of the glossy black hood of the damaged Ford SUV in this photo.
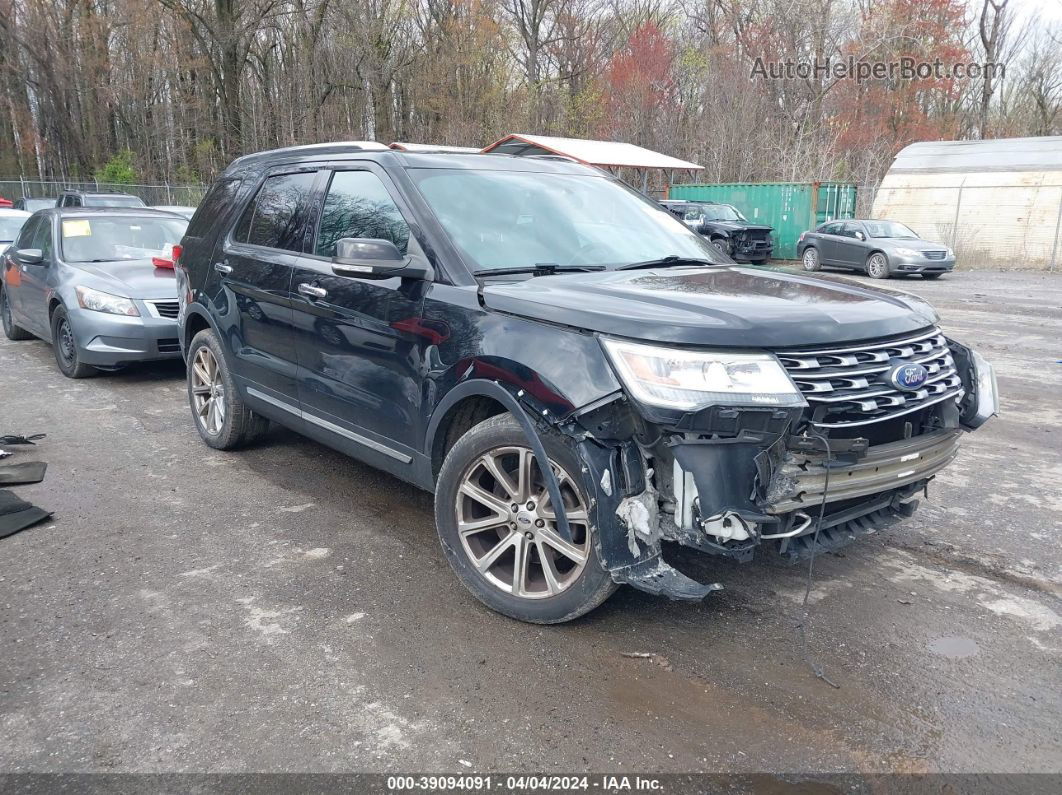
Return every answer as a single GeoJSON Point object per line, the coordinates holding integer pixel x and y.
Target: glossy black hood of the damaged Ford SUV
{"type": "Point", "coordinates": [726, 307]}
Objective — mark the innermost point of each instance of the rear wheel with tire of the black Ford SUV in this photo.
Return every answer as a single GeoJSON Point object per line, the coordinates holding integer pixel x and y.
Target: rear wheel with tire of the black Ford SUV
{"type": "Point", "coordinates": [222, 419]}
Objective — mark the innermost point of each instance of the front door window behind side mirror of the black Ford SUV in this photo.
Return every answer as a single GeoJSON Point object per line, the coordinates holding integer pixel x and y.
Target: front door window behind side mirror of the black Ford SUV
{"type": "Point", "coordinates": [359, 206]}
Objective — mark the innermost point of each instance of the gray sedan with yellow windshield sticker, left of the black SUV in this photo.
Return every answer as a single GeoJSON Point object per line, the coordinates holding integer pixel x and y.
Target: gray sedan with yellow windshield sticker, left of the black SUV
{"type": "Point", "coordinates": [96, 283]}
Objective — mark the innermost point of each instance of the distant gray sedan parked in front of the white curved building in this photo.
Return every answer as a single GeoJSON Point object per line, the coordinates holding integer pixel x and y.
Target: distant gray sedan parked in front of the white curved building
{"type": "Point", "coordinates": [881, 249]}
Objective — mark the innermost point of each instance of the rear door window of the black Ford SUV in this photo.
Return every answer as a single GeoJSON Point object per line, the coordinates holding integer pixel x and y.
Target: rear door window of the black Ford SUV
{"type": "Point", "coordinates": [273, 220]}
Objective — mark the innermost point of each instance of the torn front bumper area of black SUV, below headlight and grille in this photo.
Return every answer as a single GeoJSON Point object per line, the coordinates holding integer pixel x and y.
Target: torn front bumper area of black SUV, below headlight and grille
{"type": "Point", "coordinates": [731, 480]}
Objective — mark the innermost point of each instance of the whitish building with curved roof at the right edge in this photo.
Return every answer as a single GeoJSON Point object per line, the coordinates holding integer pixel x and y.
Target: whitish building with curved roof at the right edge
{"type": "Point", "coordinates": [999, 203]}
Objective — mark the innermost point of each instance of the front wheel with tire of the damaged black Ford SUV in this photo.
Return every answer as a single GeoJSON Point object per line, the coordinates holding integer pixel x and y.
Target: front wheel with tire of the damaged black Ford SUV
{"type": "Point", "coordinates": [499, 530]}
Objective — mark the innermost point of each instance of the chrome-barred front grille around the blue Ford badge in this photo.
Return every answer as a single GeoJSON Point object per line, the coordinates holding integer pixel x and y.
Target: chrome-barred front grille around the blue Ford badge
{"type": "Point", "coordinates": [848, 387]}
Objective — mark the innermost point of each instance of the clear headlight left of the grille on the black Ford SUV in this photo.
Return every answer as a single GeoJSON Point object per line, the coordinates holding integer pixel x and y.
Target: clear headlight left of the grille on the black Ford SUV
{"type": "Point", "coordinates": [687, 379]}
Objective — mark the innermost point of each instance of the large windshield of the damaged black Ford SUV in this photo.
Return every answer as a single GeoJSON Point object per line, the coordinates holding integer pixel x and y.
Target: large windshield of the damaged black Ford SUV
{"type": "Point", "coordinates": [512, 219]}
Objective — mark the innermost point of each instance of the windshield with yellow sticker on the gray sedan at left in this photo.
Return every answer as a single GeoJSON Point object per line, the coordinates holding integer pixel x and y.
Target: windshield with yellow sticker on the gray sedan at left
{"type": "Point", "coordinates": [102, 239]}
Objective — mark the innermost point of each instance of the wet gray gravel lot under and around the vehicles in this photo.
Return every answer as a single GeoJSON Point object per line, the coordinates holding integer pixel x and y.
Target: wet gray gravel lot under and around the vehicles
{"type": "Point", "coordinates": [287, 609]}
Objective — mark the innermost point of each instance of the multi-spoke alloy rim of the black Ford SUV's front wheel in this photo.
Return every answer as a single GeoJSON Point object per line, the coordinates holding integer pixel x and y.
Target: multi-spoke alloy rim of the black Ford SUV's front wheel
{"type": "Point", "coordinates": [508, 526]}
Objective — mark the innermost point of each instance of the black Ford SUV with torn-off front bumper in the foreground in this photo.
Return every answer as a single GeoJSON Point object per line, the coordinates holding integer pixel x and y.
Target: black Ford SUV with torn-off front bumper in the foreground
{"type": "Point", "coordinates": [458, 320]}
